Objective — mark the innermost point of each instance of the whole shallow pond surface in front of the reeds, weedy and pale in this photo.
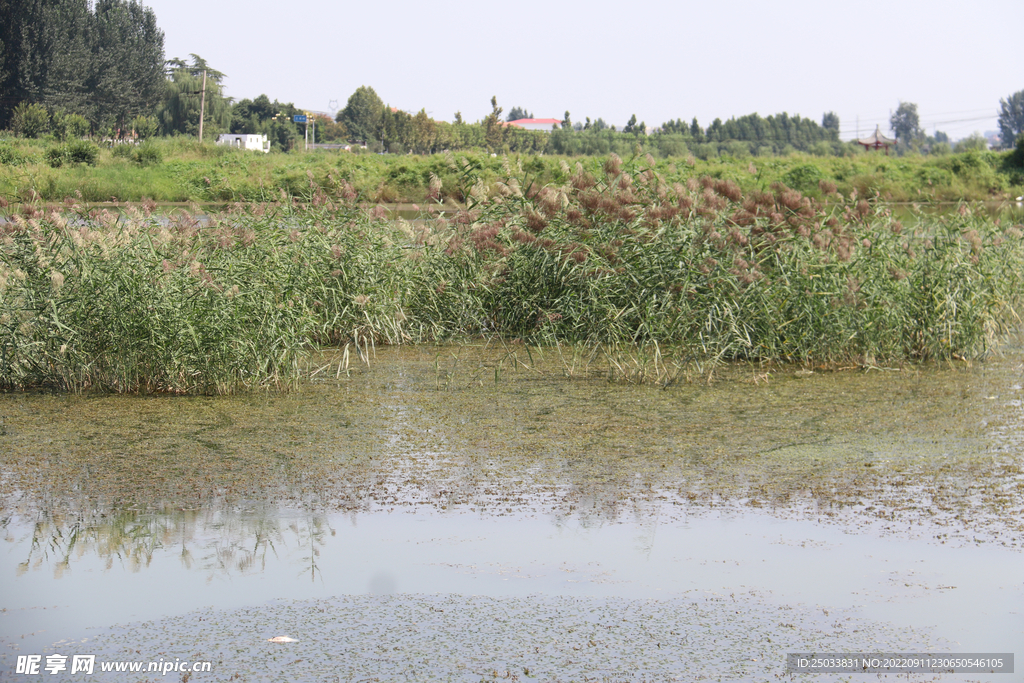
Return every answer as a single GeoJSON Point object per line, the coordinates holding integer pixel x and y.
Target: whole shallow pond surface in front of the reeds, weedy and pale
{"type": "Point", "coordinates": [430, 519]}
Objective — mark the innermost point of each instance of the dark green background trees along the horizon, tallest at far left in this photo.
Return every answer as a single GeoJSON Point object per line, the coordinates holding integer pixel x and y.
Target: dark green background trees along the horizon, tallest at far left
{"type": "Point", "coordinates": [69, 68]}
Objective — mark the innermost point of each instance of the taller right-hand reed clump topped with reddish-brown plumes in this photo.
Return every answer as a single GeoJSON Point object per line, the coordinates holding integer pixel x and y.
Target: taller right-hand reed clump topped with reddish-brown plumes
{"type": "Point", "coordinates": [721, 274]}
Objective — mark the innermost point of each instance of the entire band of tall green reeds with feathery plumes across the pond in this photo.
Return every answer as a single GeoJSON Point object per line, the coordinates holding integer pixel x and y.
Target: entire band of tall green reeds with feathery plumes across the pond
{"type": "Point", "coordinates": [620, 261]}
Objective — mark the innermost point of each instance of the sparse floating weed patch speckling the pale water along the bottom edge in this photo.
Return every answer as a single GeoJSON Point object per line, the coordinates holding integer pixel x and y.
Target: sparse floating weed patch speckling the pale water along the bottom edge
{"type": "Point", "coordinates": [451, 637]}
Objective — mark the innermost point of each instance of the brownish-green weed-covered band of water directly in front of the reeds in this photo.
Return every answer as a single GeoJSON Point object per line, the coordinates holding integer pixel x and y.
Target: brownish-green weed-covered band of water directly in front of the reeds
{"type": "Point", "coordinates": [229, 480]}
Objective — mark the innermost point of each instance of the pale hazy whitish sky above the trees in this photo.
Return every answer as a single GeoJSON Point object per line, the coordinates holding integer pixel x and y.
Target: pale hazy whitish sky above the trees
{"type": "Point", "coordinates": [660, 60]}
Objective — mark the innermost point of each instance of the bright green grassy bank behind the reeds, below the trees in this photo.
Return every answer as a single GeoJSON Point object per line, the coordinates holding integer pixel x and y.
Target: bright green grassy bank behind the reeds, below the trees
{"type": "Point", "coordinates": [183, 170]}
